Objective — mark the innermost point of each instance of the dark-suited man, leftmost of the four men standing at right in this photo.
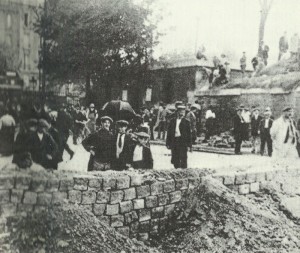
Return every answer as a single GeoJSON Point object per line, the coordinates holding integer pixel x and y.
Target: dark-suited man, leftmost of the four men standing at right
{"type": "Point", "coordinates": [239, 130]}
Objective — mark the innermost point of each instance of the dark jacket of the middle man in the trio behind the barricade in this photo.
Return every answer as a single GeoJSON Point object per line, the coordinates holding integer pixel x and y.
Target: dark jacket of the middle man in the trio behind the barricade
{"type": "Point", "coordinates": [125, 156]}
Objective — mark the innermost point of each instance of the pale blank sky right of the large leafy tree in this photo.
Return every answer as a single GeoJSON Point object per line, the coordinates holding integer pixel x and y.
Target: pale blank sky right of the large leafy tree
{"type": "Point", "coordinates": [224, 26]}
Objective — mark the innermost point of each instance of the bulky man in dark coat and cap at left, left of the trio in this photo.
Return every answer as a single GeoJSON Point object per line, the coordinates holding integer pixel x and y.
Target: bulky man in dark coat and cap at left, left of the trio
{"type": "Point", "coordinates": [42, 146]}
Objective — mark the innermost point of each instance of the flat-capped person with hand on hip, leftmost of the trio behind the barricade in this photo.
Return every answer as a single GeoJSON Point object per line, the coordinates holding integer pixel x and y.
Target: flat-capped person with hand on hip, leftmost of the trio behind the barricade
{"type": "Point", "coordinates": [100, 145]}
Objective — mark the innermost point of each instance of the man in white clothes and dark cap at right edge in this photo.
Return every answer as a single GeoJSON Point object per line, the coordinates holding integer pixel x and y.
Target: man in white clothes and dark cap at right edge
{"type": "Point", "coordinates": [284, 135]}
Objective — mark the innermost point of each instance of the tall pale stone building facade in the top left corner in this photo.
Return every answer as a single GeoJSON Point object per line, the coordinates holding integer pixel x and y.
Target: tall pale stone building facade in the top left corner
{"type": "Point", "coordinates": [16, 23]}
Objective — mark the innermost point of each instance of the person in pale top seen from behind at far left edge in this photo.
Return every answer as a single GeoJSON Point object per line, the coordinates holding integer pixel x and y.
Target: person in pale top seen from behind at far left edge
{"type": "Point", "coordinates": [7, 133]}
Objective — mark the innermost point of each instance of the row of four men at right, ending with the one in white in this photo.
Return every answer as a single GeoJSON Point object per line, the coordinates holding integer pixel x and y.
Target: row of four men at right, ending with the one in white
{"type": "Point", "coordinates": [280, 135]}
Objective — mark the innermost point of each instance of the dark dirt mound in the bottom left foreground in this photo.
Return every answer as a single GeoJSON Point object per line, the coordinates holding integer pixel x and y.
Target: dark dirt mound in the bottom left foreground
{"type": "Point", "coordinates": [69, 230]}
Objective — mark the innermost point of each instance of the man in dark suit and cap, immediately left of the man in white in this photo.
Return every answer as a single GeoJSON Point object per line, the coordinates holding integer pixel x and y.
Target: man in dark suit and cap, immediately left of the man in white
{"type": "Point", "coordinates": [265, 137]}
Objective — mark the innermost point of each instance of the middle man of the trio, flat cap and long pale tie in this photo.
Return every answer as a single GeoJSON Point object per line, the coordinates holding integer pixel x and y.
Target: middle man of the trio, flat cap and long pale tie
{"type": "Point", "coordinates": [122, 147]}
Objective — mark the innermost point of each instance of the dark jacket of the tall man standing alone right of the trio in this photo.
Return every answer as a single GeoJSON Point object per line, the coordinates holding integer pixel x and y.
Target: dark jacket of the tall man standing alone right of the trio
{"type": "Point", "coordinates": [185, 131]}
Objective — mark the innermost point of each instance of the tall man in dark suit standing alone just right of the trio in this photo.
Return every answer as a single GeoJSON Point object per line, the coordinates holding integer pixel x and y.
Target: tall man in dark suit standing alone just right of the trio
{"type": "Point", "coordinates": [179, 138]}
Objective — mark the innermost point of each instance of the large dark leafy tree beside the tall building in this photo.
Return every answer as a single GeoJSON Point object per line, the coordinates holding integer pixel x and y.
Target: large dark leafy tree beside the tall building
{"type": "Point", "coordinates": [105, 41]}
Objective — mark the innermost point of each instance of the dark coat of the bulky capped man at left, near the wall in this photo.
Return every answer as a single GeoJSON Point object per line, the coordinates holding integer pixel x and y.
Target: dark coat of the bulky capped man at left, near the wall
{"type": "Point", "coordinates": [40, 149]}
